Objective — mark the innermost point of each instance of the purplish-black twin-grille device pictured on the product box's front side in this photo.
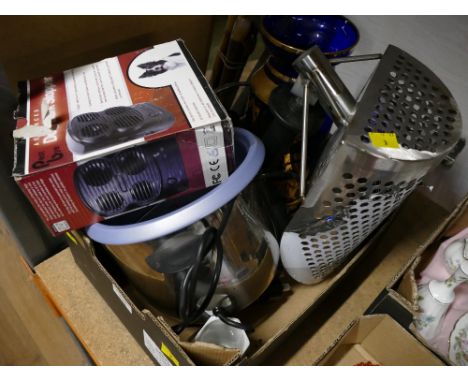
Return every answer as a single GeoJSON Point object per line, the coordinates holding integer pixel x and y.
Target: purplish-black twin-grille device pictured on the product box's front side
{"type": "Point", "coordinates": [132, 178]}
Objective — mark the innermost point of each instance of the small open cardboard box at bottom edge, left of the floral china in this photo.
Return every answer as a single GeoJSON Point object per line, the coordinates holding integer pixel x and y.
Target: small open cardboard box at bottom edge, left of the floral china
{"type": "Point", "coordinates": [378, 340]}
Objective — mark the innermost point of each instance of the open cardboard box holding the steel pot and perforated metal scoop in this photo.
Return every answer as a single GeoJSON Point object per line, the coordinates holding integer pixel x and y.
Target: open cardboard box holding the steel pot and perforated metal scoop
{"type": "Point", "coordinates": [272, 319]}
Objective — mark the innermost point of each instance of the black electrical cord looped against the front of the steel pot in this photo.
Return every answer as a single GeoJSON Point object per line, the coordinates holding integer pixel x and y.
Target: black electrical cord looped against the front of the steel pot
{"type": "Point", "coordinates": [188, 310]}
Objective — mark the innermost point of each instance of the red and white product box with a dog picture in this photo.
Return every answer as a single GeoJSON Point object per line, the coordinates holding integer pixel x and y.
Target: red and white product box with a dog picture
{"type": "Point", "coordinates": [118, 135]}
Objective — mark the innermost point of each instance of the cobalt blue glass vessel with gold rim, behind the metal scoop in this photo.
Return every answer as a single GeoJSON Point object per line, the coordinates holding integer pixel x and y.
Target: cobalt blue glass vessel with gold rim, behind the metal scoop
{"type": "Point", "coordinates": [288, 36]}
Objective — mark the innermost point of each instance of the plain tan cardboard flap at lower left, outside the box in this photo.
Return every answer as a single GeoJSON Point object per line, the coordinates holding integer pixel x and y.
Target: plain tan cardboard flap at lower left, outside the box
{"type": "Point", "coordinates": [101, 332]}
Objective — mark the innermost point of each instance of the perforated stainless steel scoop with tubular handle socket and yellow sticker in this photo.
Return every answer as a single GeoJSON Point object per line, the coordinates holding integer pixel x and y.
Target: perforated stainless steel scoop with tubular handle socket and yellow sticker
{"type": "Point", "coordinates": [403, 125]}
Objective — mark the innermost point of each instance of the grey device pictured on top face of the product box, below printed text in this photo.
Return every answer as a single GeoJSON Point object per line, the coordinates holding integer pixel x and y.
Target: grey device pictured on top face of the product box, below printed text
{"type": "Point", "coordinates": [96, 130]}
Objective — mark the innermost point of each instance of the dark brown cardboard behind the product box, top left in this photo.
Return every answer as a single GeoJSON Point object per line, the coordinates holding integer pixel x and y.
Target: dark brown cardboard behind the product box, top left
{"type": "Point", "coordinates": [83, 39]}
